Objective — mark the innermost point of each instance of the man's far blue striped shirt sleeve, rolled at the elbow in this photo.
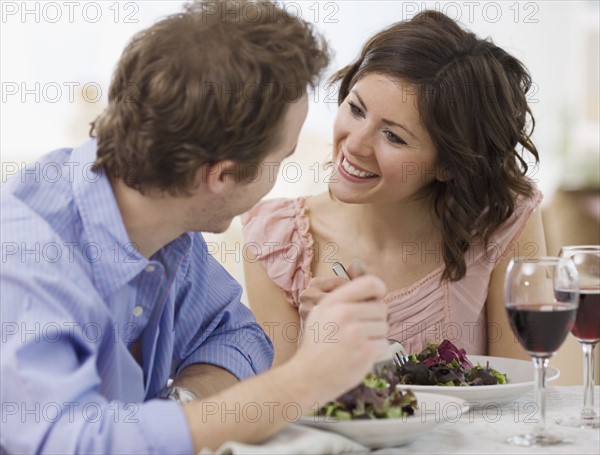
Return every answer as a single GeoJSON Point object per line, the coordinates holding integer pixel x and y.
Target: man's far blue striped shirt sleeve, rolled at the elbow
{"type": "Point", "coordinates": [212, 325]}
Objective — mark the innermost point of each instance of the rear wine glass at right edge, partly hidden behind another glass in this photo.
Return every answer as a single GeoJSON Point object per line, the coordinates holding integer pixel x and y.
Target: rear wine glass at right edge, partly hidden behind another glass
{"type": "Point", "coordinates": [587, 326]}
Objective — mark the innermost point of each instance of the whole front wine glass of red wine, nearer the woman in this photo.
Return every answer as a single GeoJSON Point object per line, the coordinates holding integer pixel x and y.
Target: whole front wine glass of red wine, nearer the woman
{"type": "Point", "coordinates": [541, 297]}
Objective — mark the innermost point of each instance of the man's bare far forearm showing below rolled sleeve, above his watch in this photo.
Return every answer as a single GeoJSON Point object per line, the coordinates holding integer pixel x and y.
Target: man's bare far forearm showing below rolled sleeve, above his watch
{"type": "Point", "coordinates": [205, 380]}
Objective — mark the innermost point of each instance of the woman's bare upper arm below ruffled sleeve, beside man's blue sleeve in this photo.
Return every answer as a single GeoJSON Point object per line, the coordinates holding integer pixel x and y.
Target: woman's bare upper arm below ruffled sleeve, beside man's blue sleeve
{"type": "Point", "coordinates": [276, 316]}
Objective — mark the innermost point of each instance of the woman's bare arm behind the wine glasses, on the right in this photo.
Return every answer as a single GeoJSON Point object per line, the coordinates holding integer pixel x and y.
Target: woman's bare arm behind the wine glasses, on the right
{"type": "Point", "coordinates": [531, 243]}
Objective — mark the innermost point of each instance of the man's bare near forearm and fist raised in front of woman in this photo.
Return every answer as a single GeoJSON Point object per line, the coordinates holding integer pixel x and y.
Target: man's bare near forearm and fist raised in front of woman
{"type": "Point", "coordinates": [256, 408]}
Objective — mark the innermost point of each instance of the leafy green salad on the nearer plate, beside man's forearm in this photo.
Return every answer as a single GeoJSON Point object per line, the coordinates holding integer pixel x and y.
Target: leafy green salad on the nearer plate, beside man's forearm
{"type": "Point", "coordinates": [377, 397]}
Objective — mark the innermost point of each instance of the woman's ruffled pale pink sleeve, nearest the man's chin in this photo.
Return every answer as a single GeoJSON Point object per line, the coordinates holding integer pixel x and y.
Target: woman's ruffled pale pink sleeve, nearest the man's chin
{"type": "Point", "coordinates": [278, 231]}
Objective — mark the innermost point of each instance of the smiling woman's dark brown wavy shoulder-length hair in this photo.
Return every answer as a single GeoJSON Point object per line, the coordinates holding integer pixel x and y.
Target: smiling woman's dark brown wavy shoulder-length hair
{"type": "Point", "coordinates": [472, 99]}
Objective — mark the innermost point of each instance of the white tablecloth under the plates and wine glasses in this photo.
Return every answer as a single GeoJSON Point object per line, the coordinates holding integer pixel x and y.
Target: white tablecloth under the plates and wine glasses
{"type": "Point", "coordinates": [477, 432]}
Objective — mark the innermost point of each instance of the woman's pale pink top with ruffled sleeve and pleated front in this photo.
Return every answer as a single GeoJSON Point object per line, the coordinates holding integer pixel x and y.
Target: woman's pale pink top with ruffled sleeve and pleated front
{"type": "Point", "coordinates": [426, 310]}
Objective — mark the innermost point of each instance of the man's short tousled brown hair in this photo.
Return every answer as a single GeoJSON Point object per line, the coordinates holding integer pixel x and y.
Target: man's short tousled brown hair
{"type": "Point", "coordinates": [209, 84]}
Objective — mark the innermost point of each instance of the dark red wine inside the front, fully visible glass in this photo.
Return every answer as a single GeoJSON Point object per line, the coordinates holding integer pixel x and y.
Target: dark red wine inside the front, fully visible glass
{"type": "Point", "coordinates": [542, 328]}
